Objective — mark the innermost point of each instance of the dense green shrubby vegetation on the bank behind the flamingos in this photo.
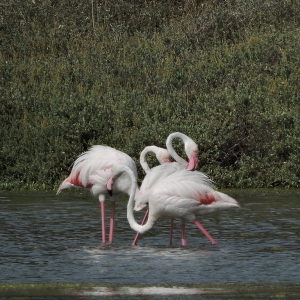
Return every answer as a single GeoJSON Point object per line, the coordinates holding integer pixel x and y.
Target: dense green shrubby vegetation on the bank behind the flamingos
{"type": "Point", "coordinates": [127, 73]}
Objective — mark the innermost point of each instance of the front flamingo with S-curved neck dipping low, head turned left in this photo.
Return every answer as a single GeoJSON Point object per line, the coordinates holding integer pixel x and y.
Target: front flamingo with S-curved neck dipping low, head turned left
{"type": "Point", "coordinates": [183, 194]}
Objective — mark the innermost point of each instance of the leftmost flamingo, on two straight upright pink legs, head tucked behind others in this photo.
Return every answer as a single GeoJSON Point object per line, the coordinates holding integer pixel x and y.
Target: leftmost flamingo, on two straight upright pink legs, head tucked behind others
{"type": "Point", "coordinates": [92, 170]}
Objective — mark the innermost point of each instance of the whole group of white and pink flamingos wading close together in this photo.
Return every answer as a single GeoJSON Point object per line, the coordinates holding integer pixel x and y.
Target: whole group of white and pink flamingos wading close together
{"type": "Point", "coordinates": [171, 189]}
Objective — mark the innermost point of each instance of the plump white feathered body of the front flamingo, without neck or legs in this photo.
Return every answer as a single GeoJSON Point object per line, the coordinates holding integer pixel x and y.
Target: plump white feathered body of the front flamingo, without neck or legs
{"type": "Point", "coordinates": [187, 195]}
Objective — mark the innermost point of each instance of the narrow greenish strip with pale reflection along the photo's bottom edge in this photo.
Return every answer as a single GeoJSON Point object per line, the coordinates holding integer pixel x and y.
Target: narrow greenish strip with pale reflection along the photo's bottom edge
{"type": "Point", "coordinates": [174, 291]}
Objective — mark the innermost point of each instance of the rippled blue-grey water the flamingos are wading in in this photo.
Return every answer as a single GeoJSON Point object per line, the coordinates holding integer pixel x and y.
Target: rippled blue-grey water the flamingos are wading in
{"type": "Point", "coordinates": [49, 239]}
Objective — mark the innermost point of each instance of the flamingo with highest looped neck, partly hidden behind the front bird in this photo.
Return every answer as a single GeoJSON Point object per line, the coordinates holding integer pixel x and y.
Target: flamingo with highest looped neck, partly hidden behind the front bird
{"type": "Point", "coordinates": [162, 171]}
